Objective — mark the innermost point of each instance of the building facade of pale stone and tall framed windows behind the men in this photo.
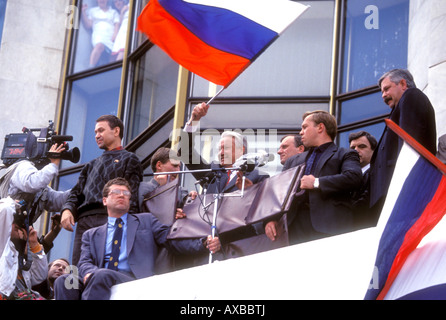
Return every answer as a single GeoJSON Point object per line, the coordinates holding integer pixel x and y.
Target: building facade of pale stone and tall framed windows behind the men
{"type": "Point", "coordinates": [329, 59]}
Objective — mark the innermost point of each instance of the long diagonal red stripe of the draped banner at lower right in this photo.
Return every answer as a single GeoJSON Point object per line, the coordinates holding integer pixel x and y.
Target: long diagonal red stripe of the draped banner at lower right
{"type": "Point", "coordinates": [431, 215]}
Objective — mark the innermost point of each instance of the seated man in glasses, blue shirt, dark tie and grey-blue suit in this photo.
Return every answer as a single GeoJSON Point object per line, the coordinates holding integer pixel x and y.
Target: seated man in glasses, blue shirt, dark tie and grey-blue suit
{"type": "Point", "coordinates": [100, 268]}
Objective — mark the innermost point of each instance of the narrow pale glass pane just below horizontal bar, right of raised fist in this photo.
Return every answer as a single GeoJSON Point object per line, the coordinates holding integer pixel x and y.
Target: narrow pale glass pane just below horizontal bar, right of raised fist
{"type": "Point", "coordinates": [274, 116]}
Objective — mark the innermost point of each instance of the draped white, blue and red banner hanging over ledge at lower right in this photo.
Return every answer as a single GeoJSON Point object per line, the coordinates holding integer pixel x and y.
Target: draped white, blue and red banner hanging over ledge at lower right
{"type": "Point", "coordinates": [420, 204]}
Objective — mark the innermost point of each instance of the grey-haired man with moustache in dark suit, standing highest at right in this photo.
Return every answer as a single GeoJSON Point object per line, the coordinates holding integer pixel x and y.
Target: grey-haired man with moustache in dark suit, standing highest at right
{"type": "Point", "coordinates": [413, 112]}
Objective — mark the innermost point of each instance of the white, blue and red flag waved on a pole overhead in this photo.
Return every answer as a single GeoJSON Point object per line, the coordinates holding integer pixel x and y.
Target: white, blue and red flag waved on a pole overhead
{"type": "Point", "coordinates": [216, 39]}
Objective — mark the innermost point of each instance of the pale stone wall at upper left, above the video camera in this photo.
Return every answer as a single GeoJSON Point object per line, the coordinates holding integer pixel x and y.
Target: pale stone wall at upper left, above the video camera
{"type": "Point", "coordinates": [31, 60]}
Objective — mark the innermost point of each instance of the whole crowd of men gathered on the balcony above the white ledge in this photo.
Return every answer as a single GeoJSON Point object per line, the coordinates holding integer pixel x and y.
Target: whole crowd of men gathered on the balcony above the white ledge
{"type": "Point", "coordinates": [343, 190]}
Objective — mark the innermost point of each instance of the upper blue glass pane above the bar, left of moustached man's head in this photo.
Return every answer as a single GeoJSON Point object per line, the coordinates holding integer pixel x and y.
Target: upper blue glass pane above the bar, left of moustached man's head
{"type": "Point", "coordinates": [376, 37]}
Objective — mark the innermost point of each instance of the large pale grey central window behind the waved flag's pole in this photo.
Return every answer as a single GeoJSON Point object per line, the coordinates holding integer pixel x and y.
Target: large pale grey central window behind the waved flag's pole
{"type": "Point", "coordinates": [269, 98]}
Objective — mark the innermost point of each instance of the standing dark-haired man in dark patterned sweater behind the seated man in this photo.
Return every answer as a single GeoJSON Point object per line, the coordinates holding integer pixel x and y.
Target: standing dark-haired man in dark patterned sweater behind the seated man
{"type": "Point", "coordinates": [84, 204]}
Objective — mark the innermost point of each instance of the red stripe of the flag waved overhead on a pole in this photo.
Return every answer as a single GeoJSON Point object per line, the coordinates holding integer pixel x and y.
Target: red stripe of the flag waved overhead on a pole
{"type": "Point", "coordinates": [186, 49]}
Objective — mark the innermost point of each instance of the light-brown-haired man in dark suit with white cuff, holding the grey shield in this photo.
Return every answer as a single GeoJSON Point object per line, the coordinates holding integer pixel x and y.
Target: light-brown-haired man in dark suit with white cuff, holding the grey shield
{"type": "Point", "coordinates": [331, 174]}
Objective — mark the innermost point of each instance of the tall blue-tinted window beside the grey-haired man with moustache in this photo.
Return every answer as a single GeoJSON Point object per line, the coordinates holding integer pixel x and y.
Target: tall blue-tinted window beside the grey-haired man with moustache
{"type": "Point", "coordinates": [374, 41]}
